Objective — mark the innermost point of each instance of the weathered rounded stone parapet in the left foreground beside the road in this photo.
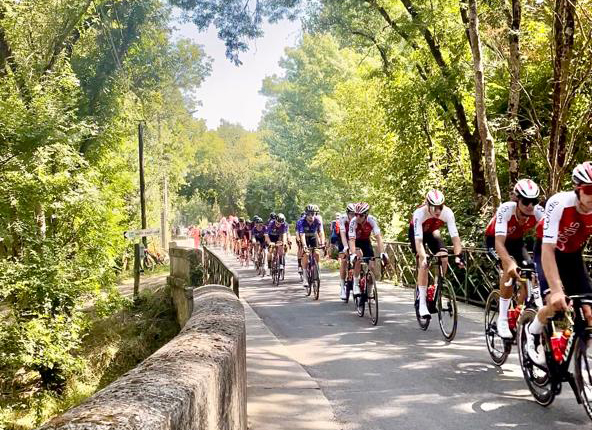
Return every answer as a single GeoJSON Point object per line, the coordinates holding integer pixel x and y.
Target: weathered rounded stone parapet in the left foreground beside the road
{"type": "Point", "coordinates": [196, 381]}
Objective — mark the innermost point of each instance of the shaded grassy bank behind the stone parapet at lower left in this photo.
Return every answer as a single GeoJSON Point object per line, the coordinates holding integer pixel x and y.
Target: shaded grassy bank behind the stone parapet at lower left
{"type": "Point", "coordinates": [117, 340]}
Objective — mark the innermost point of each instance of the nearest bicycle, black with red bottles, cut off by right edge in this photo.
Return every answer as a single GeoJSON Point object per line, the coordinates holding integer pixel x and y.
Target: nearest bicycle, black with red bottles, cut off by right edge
{"type": "Point", "coordinates": [544, 382]}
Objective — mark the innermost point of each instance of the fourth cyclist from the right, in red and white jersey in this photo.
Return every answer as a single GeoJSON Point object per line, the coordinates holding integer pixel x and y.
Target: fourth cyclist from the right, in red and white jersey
{"type": "Point", "coordinates": [360, 245]}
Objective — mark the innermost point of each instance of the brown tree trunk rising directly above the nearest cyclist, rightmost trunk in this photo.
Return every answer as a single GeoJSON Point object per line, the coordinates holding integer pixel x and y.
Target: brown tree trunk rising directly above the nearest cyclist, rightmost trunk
{"type": "Point", "coordinates": [563, 35]}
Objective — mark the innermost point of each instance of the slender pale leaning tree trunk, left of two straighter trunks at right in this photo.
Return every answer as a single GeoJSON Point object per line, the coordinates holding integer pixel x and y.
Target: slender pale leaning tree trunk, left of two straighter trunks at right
{"type": "Point", "coordinates": [482, 124]}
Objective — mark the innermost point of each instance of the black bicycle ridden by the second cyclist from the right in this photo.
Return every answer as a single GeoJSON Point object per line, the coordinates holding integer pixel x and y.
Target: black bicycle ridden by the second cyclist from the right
{"type": "Point", "coordinates": [498, 347]}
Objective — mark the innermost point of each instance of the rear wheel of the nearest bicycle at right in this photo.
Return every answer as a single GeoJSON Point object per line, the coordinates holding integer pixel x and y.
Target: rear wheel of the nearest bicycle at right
{"type": "Point", "coordinates": [537, 379]}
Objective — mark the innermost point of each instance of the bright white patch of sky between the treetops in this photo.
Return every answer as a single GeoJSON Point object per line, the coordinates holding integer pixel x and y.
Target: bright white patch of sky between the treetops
{"type": "Point", "coordinates": [232, 92]}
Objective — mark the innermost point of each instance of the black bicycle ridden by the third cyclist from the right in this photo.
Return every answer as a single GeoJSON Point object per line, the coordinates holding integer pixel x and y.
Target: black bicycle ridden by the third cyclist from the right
{"type": "Point", "coordinates": [440, 299]}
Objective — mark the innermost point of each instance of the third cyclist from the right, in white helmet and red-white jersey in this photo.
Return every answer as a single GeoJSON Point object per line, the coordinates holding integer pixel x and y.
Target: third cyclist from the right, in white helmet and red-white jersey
{"type": "Point", "coordinates": [424, 229]}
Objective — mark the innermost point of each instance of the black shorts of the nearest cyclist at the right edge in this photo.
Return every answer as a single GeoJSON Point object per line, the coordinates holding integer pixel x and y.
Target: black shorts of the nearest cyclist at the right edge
{"type": "Point", "coordinates": [572, 271]}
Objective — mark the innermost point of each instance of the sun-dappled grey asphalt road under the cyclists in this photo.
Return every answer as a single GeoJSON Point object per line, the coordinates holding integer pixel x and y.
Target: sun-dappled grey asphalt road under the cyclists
{"type": "Point", "coordinates": [395, 376]}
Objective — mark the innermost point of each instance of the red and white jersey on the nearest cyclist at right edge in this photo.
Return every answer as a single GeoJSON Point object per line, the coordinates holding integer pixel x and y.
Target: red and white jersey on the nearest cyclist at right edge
{"type": "Point", "coordinates": [563, 225]}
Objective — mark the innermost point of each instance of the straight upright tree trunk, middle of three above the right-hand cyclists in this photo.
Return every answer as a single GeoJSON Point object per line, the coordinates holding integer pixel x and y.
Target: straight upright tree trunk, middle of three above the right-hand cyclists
{"type": "Point", "coordinates": [514, 65]}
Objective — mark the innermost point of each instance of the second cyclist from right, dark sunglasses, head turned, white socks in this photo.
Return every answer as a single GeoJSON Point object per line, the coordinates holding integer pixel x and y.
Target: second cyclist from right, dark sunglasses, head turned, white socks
{"type": "Point", "coordinates": [504, 239]}
